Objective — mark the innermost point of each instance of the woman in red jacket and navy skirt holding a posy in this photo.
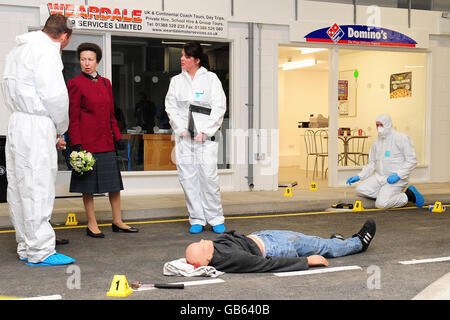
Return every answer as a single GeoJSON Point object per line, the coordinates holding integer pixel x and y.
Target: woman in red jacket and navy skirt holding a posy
{"type": "Point", "coordinates": [93, 127]}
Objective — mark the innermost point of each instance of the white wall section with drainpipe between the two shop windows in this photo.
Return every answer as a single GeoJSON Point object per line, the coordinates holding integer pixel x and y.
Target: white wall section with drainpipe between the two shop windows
{"type": "Point", "coordinates": [265, 171]}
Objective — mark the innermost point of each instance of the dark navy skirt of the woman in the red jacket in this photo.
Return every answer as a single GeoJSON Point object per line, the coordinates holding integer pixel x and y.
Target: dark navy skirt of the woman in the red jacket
{"type": "Point", "coordinates": [105, 176]}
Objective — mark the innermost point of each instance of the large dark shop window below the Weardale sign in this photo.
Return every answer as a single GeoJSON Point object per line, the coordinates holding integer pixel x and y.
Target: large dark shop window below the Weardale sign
{"type": "Point", "coordinates": [141, 73]}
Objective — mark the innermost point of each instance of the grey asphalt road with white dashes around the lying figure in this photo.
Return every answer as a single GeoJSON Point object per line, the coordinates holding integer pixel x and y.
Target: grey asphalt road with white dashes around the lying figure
{"type": "Point", "coordinates": [377, 274]}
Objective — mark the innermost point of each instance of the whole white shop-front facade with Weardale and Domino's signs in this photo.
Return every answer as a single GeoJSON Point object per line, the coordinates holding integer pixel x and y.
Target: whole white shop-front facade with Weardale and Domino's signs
{"type": "Point", "coordinates": [349, 83]}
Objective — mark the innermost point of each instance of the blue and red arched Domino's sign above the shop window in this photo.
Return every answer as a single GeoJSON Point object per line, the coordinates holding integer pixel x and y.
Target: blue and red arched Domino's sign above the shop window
{"type": "Point", "coordinates": [360, 35]}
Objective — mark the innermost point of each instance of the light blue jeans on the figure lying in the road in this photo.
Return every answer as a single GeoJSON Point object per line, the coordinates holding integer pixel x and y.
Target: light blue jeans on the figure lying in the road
{"type": "Point", "coordinates": [284, 243]}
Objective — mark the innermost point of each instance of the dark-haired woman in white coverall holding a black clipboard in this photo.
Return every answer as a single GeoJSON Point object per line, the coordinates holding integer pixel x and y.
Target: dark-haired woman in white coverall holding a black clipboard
{"type": "Point", "coordinates": [196, 104]}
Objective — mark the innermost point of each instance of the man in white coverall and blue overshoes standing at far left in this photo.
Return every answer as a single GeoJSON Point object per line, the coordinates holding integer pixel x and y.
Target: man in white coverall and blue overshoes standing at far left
{"type": "Point", "coordinates": [35, 92]}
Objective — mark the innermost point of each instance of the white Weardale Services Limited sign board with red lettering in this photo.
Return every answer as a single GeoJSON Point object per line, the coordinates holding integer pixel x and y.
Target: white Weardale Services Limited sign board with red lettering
{"type": "Point", "coordinates": [110, 19]}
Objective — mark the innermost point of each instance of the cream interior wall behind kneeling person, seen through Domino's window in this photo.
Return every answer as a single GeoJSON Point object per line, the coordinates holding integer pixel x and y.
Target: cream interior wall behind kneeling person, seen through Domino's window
{"type": "Point", "coordinates": [408, 114]}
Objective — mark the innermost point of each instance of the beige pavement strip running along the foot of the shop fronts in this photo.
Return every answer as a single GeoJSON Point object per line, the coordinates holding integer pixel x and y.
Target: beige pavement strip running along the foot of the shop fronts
{"type": "Point", "coordinates": [138, 207]}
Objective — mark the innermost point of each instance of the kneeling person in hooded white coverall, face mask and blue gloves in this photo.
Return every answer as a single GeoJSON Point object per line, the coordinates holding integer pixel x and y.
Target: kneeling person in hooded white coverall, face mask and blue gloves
{"type": "Point", "coordinates": [392, 158]}
